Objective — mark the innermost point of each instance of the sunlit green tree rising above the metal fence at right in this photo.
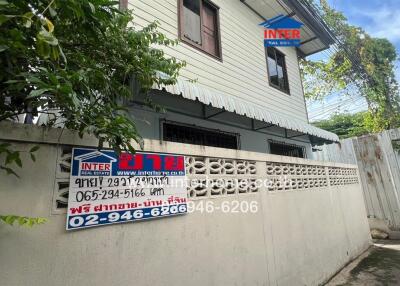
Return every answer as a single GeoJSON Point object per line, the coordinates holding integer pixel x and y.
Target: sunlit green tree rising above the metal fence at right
{"type": "Point", "coordinates": [361, 65]}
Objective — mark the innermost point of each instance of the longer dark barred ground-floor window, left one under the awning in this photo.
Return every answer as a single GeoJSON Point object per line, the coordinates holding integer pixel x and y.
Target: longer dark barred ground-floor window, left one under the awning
{"type": "Point", "coordinates": [188, 134]}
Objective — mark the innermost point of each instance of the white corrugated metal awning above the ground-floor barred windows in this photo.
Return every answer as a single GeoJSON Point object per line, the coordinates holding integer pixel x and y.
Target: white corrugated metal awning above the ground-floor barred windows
{"type": "Point", "coordinates": [239, 106]}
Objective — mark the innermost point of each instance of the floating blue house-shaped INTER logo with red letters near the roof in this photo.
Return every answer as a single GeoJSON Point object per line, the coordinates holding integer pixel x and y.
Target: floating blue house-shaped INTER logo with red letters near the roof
{"type": "Point", "coordinates": [281, 31]}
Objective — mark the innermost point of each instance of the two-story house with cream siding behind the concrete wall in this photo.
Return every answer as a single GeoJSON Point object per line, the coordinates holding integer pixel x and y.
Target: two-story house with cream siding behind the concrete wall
{"type": "Point", "coordinates": [234, 93]}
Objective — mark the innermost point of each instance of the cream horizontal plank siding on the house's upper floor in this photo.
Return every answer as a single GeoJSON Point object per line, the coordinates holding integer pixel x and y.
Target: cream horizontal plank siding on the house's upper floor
{"type": "Point", "coordinates": [242, 72]}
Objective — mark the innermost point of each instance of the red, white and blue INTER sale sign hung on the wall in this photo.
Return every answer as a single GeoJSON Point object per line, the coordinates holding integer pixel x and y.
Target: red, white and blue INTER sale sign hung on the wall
{"type": "Point", "coordinates": [107, 188]}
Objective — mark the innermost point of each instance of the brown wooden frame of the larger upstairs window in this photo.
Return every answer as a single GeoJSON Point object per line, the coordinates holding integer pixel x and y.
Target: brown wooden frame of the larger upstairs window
{"type": "Point", "coordinates": [193, 44]}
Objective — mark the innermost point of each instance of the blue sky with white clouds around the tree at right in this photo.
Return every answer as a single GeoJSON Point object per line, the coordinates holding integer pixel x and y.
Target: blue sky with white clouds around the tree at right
{"type": "Point", "coordinates": [379, 18]}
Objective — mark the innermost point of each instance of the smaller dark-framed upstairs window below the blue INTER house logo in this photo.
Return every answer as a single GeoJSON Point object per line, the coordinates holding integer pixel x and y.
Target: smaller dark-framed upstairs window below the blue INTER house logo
{"type": "Point", "coordinates": [277, 69]}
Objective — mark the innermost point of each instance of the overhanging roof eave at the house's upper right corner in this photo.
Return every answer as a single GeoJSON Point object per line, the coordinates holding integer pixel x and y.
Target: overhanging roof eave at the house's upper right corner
{"type": "Point", "coordinates": [315, 36]}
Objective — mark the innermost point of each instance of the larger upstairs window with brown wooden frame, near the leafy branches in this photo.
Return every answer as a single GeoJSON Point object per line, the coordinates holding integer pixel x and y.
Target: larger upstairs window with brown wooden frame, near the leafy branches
{"type": "Point", "coordinates": [199, 26]}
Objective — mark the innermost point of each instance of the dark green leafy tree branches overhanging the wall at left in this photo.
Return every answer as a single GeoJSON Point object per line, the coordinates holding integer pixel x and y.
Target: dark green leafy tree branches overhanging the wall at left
{"type": "Point", "coordinates": [78, 59]}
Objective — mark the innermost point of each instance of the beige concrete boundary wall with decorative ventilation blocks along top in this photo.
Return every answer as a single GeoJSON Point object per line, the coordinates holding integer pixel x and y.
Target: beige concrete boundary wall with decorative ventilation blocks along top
{"type": "Point", "coordinates": [301, 234]}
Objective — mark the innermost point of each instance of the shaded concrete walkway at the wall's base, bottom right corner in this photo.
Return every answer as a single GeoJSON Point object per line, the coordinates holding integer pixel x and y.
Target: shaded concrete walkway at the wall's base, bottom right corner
{"type": "Point", "coordinates": [380, 265]}
